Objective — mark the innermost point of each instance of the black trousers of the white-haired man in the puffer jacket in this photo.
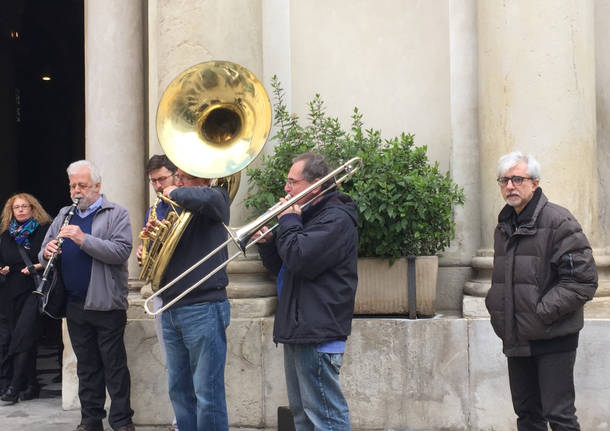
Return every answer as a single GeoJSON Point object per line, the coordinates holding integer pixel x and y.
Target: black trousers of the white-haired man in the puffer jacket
{"type": "Point", "coordinates": [542, 389]}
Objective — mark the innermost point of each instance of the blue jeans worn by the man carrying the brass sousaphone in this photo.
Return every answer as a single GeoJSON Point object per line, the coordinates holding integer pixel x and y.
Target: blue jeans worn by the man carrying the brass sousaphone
{"type": "Point", "coordinates": [196, 348]}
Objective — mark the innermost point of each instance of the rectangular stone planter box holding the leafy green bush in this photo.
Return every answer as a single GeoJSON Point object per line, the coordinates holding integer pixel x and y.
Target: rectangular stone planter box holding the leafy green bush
{"type": "Point", "coordinates": [383, 289]}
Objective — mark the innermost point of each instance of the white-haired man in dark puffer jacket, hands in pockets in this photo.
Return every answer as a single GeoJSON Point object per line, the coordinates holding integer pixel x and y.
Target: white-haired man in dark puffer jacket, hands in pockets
{"type": "Point", "coordinates": [543, 274]}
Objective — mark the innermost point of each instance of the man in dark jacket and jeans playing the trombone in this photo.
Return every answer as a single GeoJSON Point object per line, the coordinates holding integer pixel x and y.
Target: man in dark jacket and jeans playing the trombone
{"type": "Point", "coordinates": [314, 255]}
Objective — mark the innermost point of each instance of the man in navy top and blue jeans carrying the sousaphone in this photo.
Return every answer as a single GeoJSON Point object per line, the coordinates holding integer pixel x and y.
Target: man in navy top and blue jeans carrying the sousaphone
{"type": "Point", "coordinates": [194, 327]}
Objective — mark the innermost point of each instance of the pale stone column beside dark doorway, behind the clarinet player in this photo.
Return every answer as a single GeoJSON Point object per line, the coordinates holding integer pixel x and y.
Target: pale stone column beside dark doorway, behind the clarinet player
{"type": "Point", "coordinates": [114, 103]}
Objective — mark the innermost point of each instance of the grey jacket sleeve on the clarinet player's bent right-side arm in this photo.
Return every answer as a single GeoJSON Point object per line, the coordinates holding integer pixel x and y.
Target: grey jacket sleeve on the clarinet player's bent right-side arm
{"type": "Point", "coordinates": [116, 248]}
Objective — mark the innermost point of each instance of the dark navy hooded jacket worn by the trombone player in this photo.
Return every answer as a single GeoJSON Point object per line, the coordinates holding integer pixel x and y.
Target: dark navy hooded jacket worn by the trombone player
{"type": "Point", "coordinates": [319, 251]}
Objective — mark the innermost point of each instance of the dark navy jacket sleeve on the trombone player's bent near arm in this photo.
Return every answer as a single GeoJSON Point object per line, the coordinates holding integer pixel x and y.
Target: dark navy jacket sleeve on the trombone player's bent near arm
{"type": "Point", "coordinates": [310, 251]}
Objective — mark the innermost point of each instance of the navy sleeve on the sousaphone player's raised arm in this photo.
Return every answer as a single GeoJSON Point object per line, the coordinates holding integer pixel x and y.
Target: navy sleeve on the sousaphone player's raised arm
{"type": "Point", "coordinates": [211, 202]}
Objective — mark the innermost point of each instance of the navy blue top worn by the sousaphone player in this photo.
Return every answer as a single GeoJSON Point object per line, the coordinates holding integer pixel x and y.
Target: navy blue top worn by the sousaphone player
{"type": "Point", "coordinates": [205, 232]}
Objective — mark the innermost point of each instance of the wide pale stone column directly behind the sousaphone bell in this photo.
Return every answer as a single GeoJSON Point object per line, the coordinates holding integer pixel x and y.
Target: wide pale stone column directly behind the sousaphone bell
{"type": "Point", "coordinates": [182, 34]}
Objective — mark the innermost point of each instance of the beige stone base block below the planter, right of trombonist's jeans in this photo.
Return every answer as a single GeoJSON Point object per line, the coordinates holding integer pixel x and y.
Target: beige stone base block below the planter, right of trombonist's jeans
{"type": "Point", "coordinates": [400, 373]}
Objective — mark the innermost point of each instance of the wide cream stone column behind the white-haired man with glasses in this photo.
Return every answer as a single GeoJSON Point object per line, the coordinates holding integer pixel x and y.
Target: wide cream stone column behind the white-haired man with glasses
{"type": "Point", "coordinates": [537, 95]}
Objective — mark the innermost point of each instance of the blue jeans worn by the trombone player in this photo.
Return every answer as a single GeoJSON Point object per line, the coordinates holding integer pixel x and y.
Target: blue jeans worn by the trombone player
{"type": "Point", "coordinates": [314, 390]}
